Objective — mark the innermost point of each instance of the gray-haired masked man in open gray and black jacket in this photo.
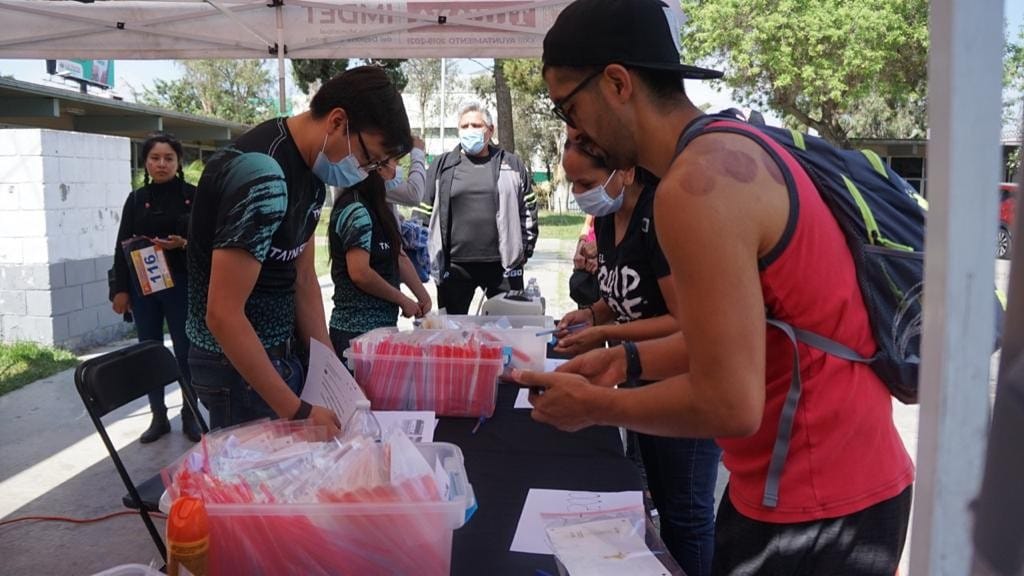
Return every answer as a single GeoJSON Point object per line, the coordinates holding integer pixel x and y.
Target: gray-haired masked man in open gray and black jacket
{"type": "Point", "coordinates": [483, 216]}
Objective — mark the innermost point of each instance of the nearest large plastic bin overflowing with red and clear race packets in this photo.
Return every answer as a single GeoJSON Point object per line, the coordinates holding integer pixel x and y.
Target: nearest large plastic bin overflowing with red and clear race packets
{"type": "Point", "coordinates": [284, 499]}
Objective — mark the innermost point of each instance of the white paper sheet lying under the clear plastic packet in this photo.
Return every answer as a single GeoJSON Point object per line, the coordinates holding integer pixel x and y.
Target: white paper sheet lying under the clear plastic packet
{"type": "Point", "coordinates": [530, 536]}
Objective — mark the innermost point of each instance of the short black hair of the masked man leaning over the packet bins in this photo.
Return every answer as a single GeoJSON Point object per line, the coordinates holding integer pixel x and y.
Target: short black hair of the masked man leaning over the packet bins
{"type": "Point", "coordinates": [372, 103]}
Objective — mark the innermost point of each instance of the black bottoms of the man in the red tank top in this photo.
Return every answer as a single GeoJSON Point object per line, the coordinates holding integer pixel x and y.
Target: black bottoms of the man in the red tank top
{"type": "Point", "coordinates": [865, 544]}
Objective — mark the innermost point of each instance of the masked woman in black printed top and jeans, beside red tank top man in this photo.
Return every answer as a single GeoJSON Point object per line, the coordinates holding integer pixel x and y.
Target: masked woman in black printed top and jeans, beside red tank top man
{"type": "Point", "coordinates": [637, 304]}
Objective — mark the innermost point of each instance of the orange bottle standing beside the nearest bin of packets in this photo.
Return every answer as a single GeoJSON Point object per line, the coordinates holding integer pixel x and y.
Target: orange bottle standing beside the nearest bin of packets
{"type": "Point", "coordinates": [188, 538]}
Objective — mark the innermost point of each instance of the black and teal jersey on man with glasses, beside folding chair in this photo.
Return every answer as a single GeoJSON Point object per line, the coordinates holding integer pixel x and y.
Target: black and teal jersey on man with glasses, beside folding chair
{"type": "Point", "coordinates": [258, 195]}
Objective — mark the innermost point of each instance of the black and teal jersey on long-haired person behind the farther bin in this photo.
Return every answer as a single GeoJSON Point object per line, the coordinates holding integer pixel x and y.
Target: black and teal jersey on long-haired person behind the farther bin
{"type": "Point", "coordinates": [354, 226]}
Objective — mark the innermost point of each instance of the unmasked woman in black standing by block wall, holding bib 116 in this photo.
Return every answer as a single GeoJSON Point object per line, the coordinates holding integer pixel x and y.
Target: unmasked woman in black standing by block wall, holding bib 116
{"type": "Point", "coordinates": [159, 212]}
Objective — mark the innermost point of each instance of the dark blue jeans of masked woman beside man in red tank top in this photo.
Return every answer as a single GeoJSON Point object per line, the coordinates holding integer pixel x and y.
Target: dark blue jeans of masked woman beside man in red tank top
{"type": "Point", "coordinates": [681, 475]}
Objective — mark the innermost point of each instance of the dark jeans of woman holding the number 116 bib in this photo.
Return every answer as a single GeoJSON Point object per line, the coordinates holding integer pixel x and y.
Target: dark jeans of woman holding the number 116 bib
{"type": "Point", "coordinates": [150, 314]}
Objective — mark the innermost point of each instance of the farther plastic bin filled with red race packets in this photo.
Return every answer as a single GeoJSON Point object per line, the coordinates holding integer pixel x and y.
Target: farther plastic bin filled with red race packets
{"type": "Point", "coordinates": [453, 373]}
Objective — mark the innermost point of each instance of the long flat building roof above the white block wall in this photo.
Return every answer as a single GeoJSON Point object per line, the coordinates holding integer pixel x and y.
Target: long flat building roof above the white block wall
{"type": "Point", "coordinates": [33, 106]}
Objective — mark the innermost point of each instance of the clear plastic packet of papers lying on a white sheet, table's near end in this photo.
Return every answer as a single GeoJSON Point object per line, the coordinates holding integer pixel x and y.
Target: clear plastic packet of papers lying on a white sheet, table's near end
{"type": "Point", "coordinates": [605, 548]}
